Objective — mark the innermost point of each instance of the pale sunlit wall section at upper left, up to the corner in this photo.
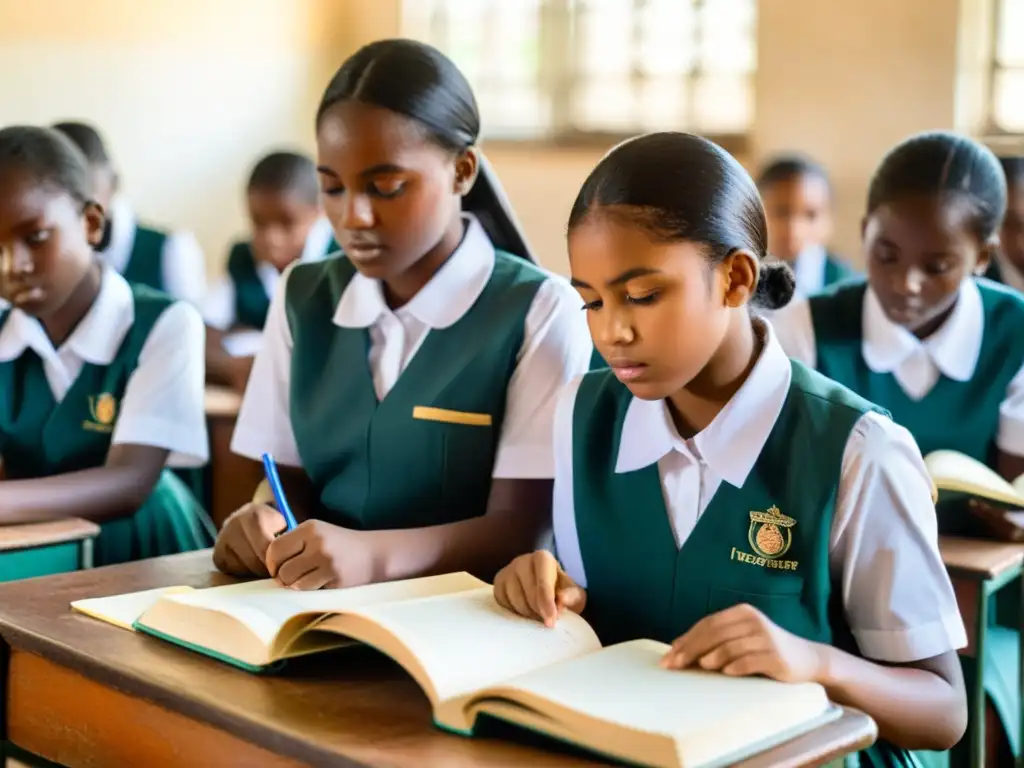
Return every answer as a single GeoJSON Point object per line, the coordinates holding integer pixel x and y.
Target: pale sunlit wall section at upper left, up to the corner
{"type": "Point", "coordinates": [187, 92]}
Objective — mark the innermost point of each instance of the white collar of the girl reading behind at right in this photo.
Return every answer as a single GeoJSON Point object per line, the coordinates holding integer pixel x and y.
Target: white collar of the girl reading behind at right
{"type": "Point", "coordinates": [954, 349]}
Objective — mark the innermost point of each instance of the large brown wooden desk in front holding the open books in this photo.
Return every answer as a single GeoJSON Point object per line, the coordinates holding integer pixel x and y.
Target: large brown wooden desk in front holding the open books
{"type": "Point", "coordinates": [72, 682]}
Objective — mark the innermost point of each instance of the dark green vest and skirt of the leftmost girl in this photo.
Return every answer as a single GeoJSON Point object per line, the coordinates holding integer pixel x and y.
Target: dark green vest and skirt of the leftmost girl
{"type": "Point", "coordinates": [40, 438]}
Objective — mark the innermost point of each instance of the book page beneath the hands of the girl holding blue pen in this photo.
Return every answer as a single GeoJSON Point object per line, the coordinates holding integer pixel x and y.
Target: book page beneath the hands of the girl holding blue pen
{"type": "Point", "coordinates": [265, 607]}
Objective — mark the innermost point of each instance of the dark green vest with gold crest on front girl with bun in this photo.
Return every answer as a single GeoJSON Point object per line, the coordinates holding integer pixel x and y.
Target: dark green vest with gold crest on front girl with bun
{"type": "Point", "coordinates": [765, 544]}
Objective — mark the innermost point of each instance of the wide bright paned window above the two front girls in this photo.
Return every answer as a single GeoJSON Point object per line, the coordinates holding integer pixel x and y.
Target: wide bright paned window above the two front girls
{"type": "Point", "coordinates": [557, 69]}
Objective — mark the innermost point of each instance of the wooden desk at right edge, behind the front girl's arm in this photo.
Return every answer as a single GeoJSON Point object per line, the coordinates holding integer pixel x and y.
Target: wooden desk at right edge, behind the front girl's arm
{"type": "Point", "coordinates": [979, 569]}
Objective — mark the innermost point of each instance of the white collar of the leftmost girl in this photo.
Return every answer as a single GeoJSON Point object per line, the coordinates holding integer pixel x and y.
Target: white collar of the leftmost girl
{"type": "Point", "coordinates": [98, 337]}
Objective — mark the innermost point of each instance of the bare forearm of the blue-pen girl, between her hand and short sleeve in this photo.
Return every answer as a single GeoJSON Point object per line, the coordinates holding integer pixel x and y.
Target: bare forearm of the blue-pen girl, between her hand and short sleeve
{"type": "Point", "coordinates": [482, 545]}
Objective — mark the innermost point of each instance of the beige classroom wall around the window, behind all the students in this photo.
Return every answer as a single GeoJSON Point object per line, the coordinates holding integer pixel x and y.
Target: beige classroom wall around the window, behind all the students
{"type": "Point", "coordinates": [190, 93]}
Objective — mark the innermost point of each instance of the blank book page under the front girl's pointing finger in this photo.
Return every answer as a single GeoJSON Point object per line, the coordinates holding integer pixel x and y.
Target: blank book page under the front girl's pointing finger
{"type": "Point", "coordinates": [466, 642]}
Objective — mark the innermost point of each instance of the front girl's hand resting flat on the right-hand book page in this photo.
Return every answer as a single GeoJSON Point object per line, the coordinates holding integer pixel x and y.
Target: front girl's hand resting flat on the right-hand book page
{"type": "Point", "coordinates": [744, 642]}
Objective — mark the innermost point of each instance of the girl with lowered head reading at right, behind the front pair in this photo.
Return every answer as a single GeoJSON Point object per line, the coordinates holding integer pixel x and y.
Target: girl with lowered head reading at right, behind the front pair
{"type": "Point", "coordinates": [942, 351]}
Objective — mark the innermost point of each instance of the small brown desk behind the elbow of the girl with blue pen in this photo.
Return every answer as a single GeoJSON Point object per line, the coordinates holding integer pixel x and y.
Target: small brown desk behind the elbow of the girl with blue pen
{"type": "Point", "coordinates": [233, 479]}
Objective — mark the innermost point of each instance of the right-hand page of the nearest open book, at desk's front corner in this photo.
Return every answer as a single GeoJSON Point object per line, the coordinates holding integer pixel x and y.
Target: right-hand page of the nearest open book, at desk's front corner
{"type": "Point", "coordinates": [707, 714]}
